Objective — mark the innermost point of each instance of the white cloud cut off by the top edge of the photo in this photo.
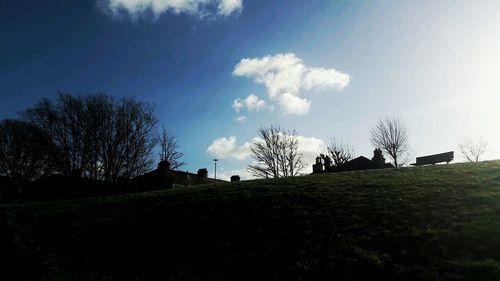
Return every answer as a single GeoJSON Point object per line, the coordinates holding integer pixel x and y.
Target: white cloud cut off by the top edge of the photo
{"type": "Point", "coordinates": [145, 8]}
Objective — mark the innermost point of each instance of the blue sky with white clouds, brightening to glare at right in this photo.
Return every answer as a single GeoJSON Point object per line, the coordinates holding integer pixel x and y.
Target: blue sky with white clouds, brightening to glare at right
{"type": "Point", "coordinates": [218, 70]}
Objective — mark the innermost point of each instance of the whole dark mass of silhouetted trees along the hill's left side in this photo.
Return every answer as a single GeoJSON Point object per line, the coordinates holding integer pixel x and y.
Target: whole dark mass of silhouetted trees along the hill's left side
{"type": "Point", "coordinates": [96, 137]}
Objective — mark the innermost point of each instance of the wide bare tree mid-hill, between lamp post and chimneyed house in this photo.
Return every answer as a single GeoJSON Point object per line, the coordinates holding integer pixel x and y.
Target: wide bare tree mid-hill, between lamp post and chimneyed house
{"type": "Point", "coordinates": [275, 153]}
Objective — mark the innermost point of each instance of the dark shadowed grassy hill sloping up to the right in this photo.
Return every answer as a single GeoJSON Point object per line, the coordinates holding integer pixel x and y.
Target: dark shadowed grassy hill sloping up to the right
{"type": "Point", "coordinates": [425, 223]}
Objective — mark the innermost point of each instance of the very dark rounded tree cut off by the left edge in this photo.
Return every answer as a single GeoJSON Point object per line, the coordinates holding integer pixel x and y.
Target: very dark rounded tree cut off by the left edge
{"type": "Point", "coordinates": [23, 154]}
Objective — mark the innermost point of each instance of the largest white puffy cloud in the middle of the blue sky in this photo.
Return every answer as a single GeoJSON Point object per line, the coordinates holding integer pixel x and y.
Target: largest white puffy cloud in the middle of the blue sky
{"type": "Point", "coordinates": [286, 76]}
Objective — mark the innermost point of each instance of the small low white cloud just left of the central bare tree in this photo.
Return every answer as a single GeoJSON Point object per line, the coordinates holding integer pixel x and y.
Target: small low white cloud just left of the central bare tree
{"type": "Point", "coordinates": [226, 148]}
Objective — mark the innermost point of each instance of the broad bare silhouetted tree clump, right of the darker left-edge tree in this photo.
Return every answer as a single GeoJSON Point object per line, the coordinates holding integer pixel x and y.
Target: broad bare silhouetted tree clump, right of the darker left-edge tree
{"type": "Point", "coordinates": [97, 136]}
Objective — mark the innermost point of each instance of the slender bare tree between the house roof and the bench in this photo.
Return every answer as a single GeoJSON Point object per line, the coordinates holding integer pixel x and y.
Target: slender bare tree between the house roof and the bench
{"type": "Point", "coordinates": [391, 135]}
